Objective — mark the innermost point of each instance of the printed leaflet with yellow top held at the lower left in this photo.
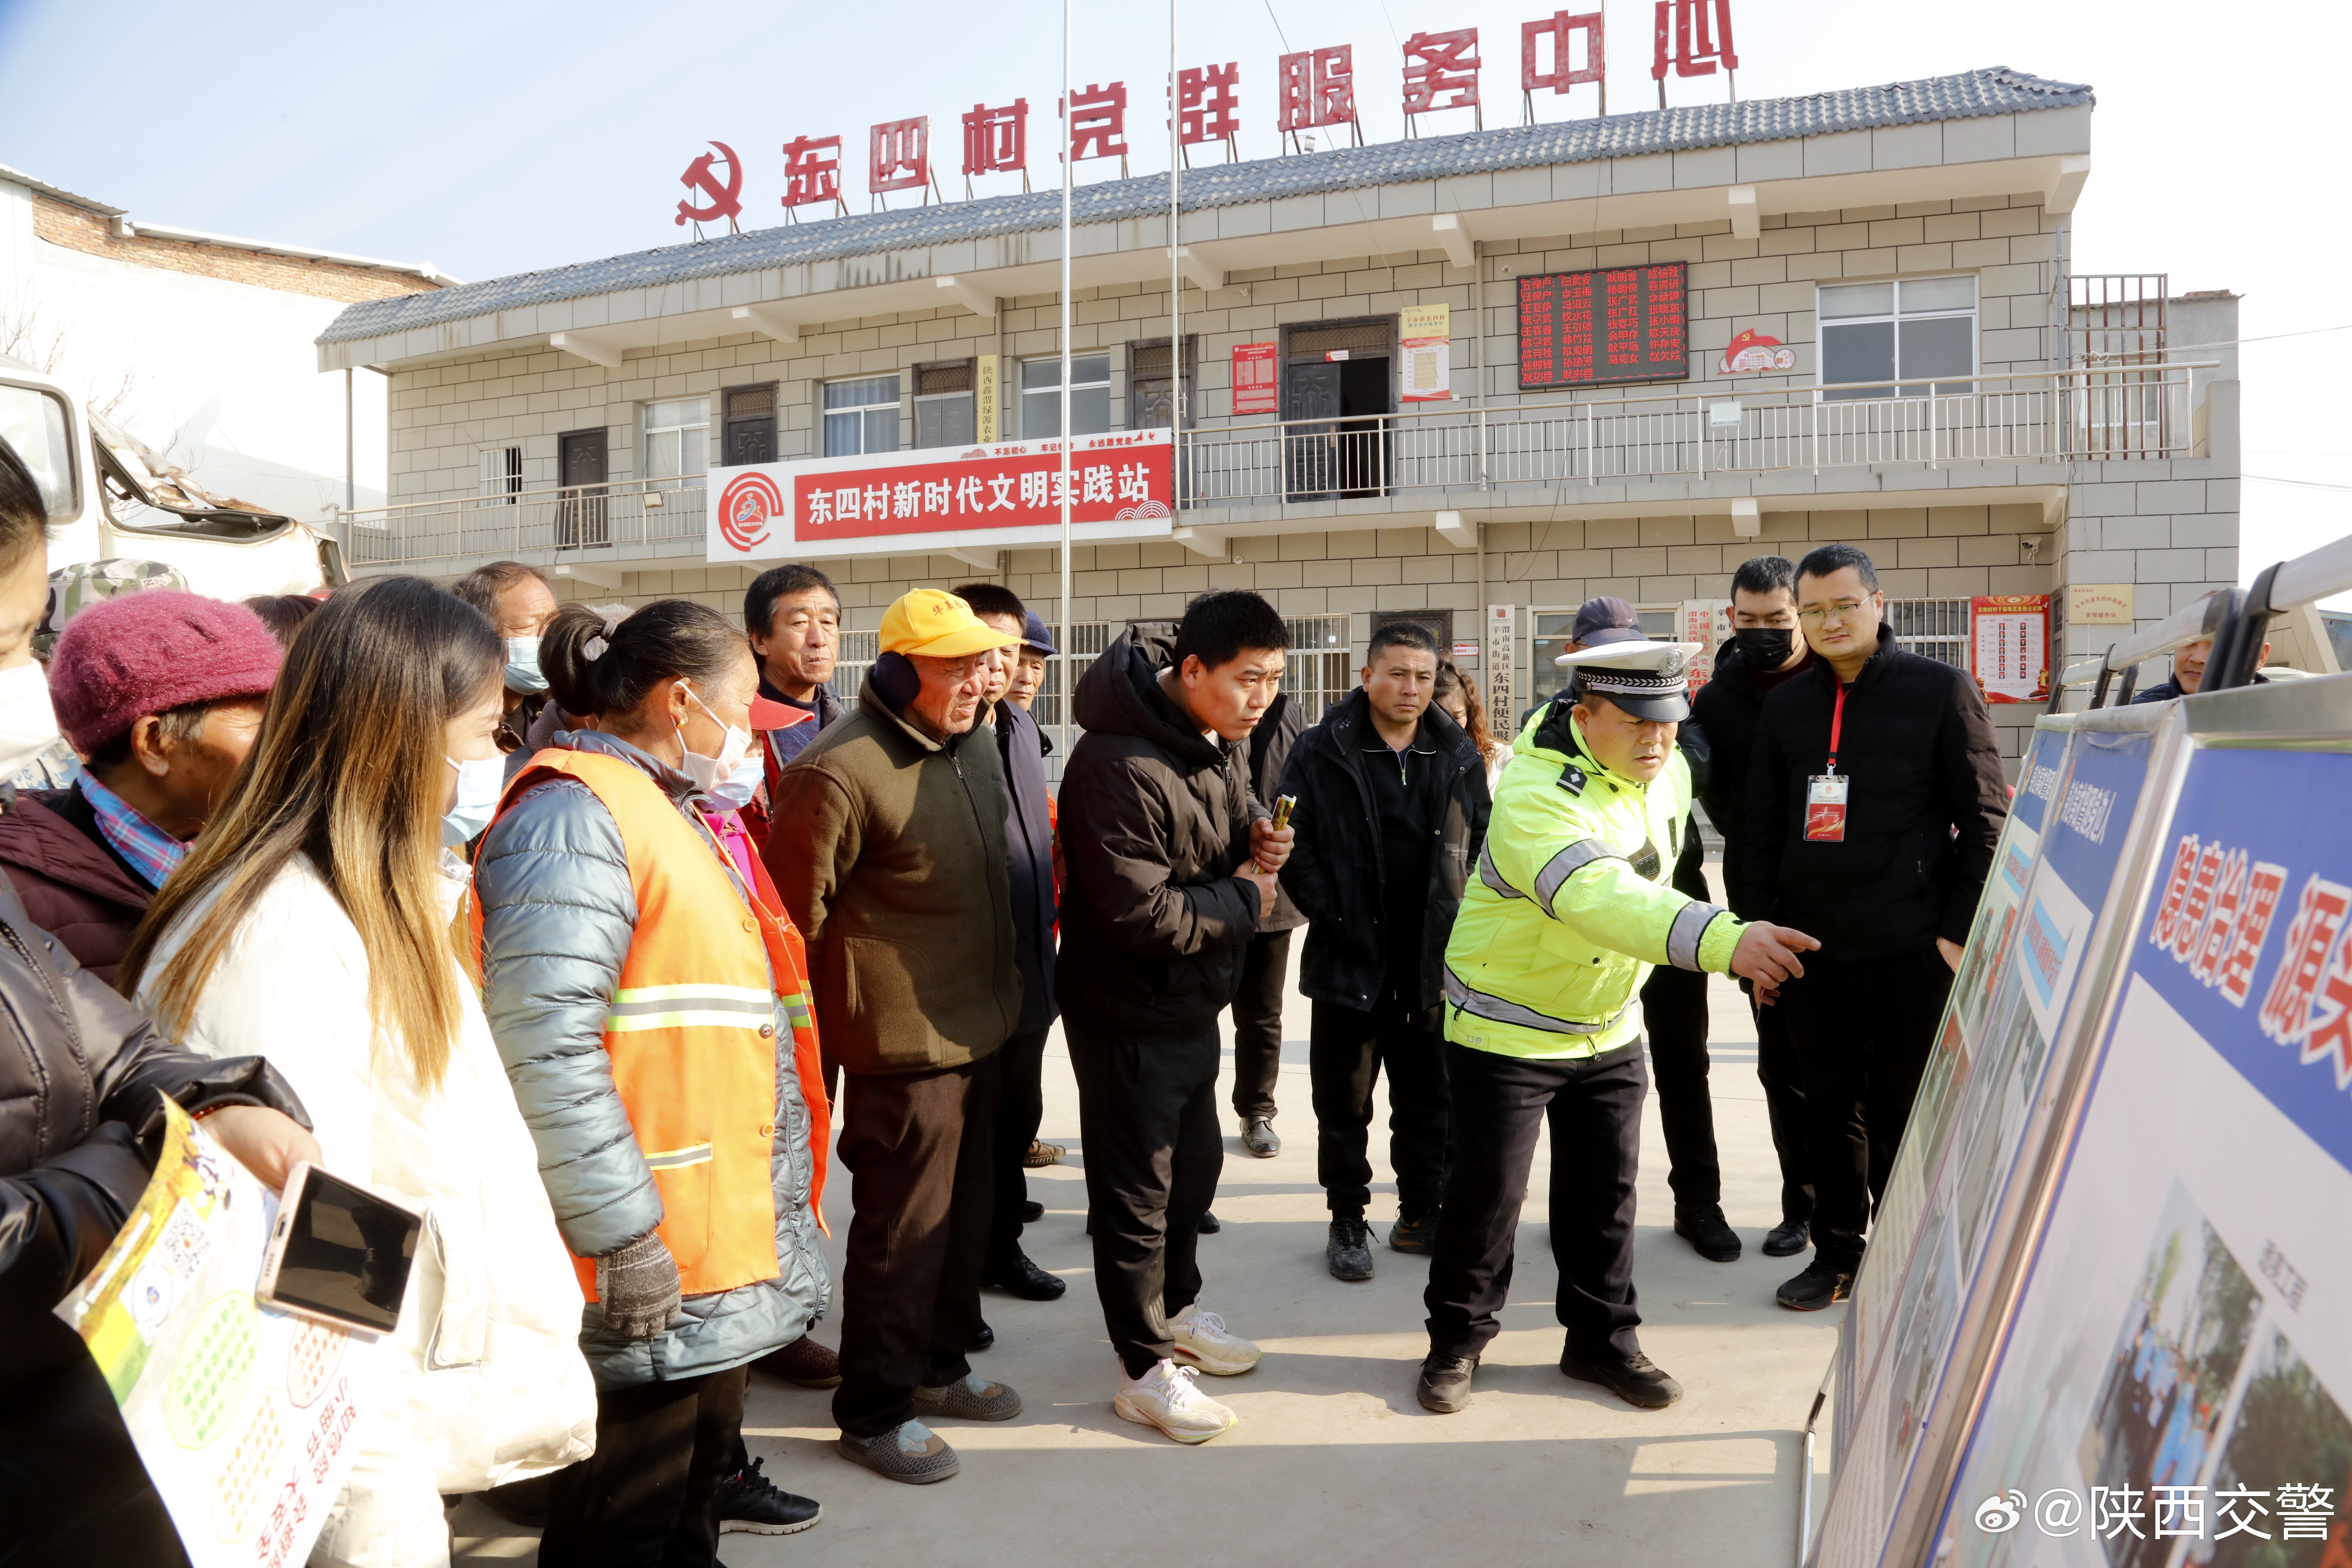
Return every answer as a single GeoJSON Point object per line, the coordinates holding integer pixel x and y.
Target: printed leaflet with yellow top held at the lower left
{"type": "Point", "coordinates": [243, 1416]}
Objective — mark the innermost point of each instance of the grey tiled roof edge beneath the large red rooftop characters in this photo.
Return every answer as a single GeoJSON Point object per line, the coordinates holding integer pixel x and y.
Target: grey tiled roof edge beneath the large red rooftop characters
{"type": "Point", "coordinates": [1391, 163]}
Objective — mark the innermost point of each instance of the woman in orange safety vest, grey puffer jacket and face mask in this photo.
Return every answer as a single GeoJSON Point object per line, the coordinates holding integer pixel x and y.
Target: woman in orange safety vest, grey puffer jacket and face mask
{"type": "Point", "coordinates": [650, 1003]}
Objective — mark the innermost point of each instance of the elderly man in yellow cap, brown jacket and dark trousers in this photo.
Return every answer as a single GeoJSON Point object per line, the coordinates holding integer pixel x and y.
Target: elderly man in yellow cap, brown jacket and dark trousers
{"type": "Point", "coordinates": [888, 847]}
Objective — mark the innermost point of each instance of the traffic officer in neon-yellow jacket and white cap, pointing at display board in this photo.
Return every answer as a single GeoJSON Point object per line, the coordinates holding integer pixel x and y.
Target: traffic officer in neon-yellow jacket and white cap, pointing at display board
{"type": "Point", "coordinates": [1565, 918]}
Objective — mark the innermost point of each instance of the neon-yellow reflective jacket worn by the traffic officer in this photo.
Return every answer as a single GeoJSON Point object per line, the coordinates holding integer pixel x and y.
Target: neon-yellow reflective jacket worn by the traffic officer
{"type": "Point", "coordinates": [1572, 902]}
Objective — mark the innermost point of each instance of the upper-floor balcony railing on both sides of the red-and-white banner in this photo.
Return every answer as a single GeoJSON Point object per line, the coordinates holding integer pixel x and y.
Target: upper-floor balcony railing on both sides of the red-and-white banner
{"type": "Point", "coordinates": [2038, 417]}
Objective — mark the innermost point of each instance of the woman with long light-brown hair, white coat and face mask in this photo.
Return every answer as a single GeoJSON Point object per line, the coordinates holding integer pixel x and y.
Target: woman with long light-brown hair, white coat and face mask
{"type": "Point", "coordinates": [312, 923]}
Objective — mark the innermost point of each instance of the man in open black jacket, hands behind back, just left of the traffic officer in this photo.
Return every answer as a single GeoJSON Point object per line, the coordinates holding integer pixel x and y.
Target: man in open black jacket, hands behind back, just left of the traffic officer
{"type": "Point", "coordinates": [1391, 808]}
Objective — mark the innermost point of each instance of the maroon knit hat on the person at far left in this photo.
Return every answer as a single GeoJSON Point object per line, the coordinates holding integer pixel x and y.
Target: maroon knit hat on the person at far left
{"type": "Point", "coordinates": [152, 652]}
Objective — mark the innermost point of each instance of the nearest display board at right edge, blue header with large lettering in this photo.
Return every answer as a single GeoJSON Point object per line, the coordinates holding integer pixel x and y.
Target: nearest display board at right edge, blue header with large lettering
{"type": "Point", "coordinates": [2177, 1381]}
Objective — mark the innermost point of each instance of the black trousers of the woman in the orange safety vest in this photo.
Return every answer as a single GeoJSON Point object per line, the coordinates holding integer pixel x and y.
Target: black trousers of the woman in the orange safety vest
{"type": "Point", "coordinates": [650, 1494]}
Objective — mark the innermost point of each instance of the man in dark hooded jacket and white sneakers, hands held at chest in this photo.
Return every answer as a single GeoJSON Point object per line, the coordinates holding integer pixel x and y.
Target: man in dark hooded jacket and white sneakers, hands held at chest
{"type": "Point", "coordinates": [1170, 866]}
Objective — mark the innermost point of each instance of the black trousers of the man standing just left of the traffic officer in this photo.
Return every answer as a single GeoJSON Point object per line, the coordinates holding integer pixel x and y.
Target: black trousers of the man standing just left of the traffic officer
{"type": "Point", "coordinates": [1347, 1054]}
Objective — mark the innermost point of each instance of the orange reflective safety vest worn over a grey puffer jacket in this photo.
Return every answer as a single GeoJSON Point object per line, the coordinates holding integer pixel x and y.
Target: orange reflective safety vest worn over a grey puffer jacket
{"type": "Point", "coordinates": [690, 1031]}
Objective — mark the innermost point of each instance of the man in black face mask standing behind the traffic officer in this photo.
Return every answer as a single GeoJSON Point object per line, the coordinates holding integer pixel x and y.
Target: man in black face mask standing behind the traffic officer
{"type": "Point", "coordinates": [1763, 655]}
